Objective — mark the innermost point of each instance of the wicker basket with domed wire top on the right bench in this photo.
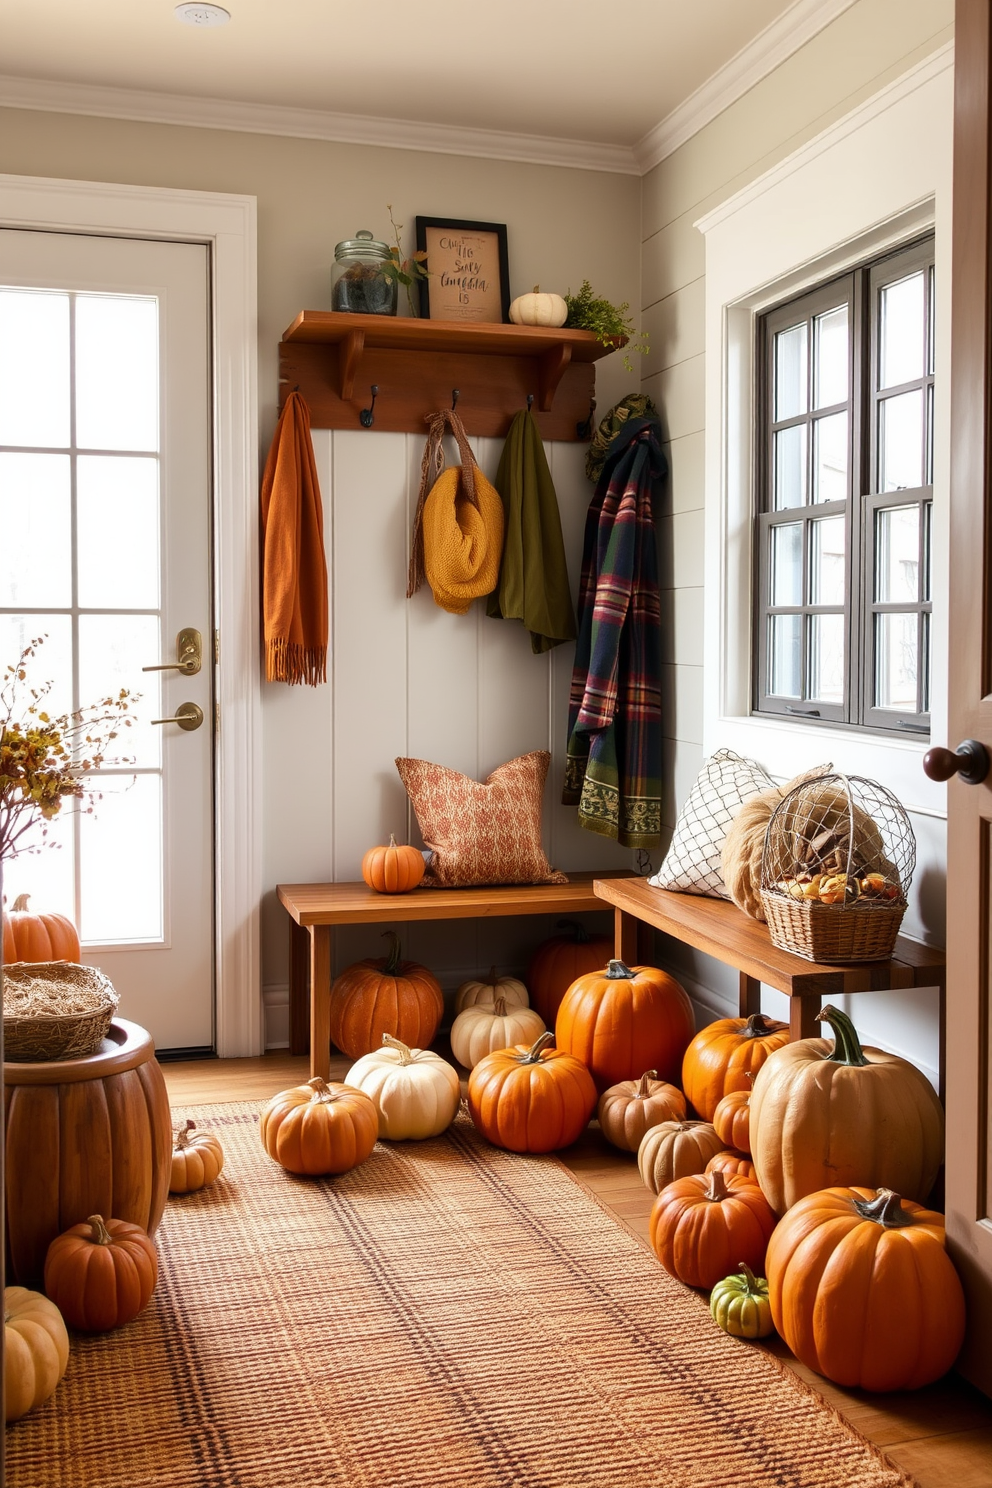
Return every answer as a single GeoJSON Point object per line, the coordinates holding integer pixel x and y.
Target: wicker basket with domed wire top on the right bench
{"type": "Point", "coordinates": [838, 862]}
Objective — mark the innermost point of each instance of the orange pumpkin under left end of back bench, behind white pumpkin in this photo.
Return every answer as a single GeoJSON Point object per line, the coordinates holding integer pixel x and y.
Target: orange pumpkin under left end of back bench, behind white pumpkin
{"type": "Point", "coordinates": [383, 996]}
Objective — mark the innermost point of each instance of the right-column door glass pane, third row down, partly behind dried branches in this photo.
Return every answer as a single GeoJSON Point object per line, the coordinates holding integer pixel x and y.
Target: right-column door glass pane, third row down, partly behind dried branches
{"type": "Point", "coordinates": [112, 651]}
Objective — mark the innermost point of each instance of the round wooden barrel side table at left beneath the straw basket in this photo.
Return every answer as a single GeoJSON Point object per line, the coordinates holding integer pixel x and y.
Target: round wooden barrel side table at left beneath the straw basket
{"type": "Point", "coordinates": [84, 1138]}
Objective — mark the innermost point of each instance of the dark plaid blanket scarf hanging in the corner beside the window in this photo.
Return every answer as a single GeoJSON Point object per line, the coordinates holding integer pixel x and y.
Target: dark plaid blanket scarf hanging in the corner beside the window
{"type": "Point", "coordinates": [615, 713]}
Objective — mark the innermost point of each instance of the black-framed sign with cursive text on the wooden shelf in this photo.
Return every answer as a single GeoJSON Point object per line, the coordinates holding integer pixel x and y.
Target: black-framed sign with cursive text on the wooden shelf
{"type": "Point", "coordinates": [468, 276]}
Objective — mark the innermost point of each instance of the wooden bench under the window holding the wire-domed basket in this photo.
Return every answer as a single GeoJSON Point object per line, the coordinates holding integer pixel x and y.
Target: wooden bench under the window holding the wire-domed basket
{"type": "Point", "coordinates": [731, 937]}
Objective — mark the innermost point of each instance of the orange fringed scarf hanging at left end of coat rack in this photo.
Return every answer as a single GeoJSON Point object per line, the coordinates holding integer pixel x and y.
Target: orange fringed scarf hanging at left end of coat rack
{"type": "Point", "coordinates": [294, 566]}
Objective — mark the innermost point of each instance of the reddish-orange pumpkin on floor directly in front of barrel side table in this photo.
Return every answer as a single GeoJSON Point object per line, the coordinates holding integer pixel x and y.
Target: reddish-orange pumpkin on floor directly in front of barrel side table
{"type": "Point", "coordinates": [102, 1273]}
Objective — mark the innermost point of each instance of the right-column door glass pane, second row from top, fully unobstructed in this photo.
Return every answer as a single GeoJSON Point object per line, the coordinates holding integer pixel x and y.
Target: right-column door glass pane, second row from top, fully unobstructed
{"type": "Point", "coordinates": [118, 535]}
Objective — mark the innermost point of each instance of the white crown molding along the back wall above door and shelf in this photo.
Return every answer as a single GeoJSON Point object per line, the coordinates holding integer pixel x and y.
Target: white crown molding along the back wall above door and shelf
{"type": "Point", "coordinates": [313, 124]}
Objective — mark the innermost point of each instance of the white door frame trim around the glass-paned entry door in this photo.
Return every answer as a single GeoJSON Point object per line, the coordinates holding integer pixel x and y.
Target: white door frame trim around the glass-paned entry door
{"type": "Point", "coordinates": [227, 225]}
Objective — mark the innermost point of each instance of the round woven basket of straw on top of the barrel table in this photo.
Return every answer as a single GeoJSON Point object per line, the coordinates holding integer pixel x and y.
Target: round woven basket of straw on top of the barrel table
{"type": "Point", "coordinates": [54, 1011]}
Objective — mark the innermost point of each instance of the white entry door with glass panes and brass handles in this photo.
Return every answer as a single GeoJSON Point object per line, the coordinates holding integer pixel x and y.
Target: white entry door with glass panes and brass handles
{"type": "Point", "coordinates": [106, 551]}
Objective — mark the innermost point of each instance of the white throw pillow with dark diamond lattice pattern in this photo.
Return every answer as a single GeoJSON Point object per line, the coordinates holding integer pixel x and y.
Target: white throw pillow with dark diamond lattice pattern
{"type": "Point", "coordinates": [692, 864]}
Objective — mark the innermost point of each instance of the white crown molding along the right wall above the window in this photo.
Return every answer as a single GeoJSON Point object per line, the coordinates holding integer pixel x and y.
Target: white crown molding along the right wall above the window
{"type": "Point", "coordinates": [761, 57]}
